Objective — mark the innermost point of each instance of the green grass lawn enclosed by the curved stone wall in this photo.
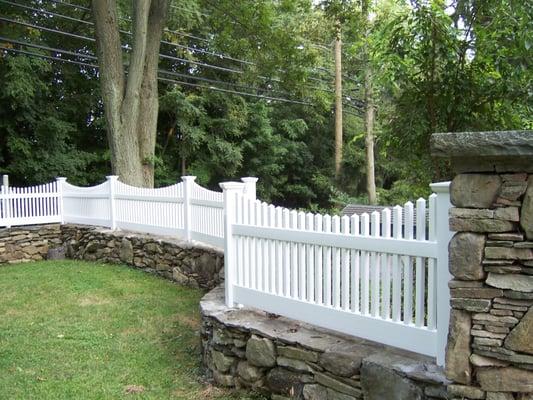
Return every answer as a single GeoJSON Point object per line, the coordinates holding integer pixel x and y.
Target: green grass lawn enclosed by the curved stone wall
{"type": "Point", "coordinates": [77, 330]}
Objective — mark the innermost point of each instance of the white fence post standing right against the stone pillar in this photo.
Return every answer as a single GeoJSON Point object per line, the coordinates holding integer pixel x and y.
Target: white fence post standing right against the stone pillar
{"type": "Point", "coordinates": [442, 190]}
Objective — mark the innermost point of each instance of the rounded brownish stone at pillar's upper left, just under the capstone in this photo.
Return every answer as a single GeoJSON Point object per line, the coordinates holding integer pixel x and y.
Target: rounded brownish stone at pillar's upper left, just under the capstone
{"type": "Point", "coordinates": [475, 190]}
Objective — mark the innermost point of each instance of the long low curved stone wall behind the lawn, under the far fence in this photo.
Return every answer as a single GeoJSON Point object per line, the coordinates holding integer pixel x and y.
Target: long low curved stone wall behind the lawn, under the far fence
{"type": "Point", "coordinates": [190, 264]}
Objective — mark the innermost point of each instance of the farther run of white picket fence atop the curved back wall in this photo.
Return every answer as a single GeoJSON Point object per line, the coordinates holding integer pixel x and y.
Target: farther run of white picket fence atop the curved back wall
{"type": "Point", "coordinates": [184, 209]}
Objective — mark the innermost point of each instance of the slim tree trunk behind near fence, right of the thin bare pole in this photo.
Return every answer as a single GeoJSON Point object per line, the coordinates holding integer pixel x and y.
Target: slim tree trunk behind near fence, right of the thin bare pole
{"type": "Point", "coordinates": [369, 112]}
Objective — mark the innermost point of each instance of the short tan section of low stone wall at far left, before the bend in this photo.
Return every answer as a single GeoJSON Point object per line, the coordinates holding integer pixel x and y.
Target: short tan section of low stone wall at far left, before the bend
{"type": "Point", "coordinates": [28, 243]}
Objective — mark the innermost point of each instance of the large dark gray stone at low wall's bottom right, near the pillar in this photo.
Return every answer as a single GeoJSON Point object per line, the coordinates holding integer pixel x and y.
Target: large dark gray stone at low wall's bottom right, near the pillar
{"type": "Point", "coordinates": [379, 383]}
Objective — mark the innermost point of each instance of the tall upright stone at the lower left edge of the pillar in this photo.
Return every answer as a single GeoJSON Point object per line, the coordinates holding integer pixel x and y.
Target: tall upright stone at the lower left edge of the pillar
{"type": "Point", "coordinates": [458, 351]}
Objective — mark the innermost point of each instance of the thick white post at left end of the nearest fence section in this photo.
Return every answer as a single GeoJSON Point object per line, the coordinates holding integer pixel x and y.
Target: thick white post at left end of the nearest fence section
{"type": "Point", "coordinates": [231, 191]}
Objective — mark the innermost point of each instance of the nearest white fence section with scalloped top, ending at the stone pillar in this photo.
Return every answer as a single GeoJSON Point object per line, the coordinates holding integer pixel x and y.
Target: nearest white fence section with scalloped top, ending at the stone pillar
{"type": "Point", "coordinates": [382, 277]}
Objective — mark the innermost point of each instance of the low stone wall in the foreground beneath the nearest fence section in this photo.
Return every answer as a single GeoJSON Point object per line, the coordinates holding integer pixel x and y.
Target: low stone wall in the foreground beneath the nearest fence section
{"type": "Point", "coordinates": [290, 360]}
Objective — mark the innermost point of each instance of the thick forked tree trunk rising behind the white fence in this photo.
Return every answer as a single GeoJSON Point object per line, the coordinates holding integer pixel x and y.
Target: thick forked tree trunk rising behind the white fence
{"type": "Point", "coordinates": [130, 96]}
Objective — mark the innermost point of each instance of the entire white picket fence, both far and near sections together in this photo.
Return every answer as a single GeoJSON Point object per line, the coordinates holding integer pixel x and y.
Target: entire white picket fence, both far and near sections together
{"type": "Point", "coordinates": [382, 277]}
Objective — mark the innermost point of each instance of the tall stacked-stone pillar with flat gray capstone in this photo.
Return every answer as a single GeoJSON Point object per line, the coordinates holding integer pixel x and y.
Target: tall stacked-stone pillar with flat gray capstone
{"type": "Point", "coordinates": [490, 345]}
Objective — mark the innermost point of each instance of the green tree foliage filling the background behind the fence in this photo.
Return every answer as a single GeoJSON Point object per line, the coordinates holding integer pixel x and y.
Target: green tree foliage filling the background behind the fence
{"type": "Point", "coordinates": [437, 66]}
